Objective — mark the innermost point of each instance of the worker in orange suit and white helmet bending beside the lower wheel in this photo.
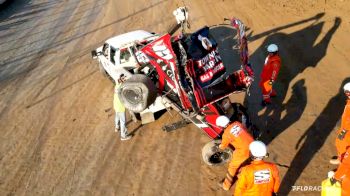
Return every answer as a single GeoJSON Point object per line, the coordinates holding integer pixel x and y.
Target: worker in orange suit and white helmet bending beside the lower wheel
{"type": "Point", "coordinates": [235, 134]}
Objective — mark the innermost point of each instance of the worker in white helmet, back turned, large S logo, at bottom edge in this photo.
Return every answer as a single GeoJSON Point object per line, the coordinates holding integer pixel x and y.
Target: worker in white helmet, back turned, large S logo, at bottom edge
{"type": "Point", "coordinates": [259, 177]}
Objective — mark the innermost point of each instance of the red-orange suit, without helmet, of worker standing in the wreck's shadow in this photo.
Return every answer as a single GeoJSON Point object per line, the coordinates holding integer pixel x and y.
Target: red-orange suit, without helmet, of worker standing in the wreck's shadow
{"type": "Point", "coordinates": [269, 73]}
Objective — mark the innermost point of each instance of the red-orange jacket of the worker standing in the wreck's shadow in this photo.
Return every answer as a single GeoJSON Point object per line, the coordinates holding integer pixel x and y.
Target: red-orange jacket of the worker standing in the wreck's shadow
{"type": "Point", "coordinates": [270, 69]}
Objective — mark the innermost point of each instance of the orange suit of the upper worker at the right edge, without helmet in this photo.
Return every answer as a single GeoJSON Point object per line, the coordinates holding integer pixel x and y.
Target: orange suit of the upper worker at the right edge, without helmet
{"type": "Point", "coordinates": [342, 141]}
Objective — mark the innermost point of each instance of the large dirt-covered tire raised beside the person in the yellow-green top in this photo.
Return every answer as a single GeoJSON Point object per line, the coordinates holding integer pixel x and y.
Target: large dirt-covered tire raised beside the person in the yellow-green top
{"type": "Point", "coordinates": [137, 93]}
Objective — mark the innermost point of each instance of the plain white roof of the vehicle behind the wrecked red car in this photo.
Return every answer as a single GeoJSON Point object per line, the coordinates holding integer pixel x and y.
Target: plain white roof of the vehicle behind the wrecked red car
{"type": "Point", "coordinates": [120, 40]}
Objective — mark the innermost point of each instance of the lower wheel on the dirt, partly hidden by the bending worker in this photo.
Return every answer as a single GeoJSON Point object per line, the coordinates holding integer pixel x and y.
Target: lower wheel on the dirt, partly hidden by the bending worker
{"type": "Point", "coordinates": [213, 156]}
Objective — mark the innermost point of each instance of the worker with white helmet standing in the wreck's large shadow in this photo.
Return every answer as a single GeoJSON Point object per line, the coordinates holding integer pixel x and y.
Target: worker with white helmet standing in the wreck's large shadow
{"type": "Point", "coordinates": [269, 73]}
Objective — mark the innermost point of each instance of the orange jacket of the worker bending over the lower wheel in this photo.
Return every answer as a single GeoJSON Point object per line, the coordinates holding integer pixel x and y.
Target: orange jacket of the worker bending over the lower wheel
{"type": "Point", "coordinates": [237, 135]}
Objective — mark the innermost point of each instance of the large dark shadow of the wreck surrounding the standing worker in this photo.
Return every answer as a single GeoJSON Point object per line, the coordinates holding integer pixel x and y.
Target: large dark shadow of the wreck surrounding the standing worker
{"type": "Point", "coordinates": [299, 51]}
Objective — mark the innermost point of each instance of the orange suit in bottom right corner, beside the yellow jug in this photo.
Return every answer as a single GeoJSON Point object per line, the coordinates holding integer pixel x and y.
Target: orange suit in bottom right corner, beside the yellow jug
{"type": "Point", "coordinates": [343, 173]}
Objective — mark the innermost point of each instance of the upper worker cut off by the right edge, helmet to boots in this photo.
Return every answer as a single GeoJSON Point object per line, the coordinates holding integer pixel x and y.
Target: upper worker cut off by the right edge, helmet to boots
{"type": "Point", "coordinates": [342, 141]}
